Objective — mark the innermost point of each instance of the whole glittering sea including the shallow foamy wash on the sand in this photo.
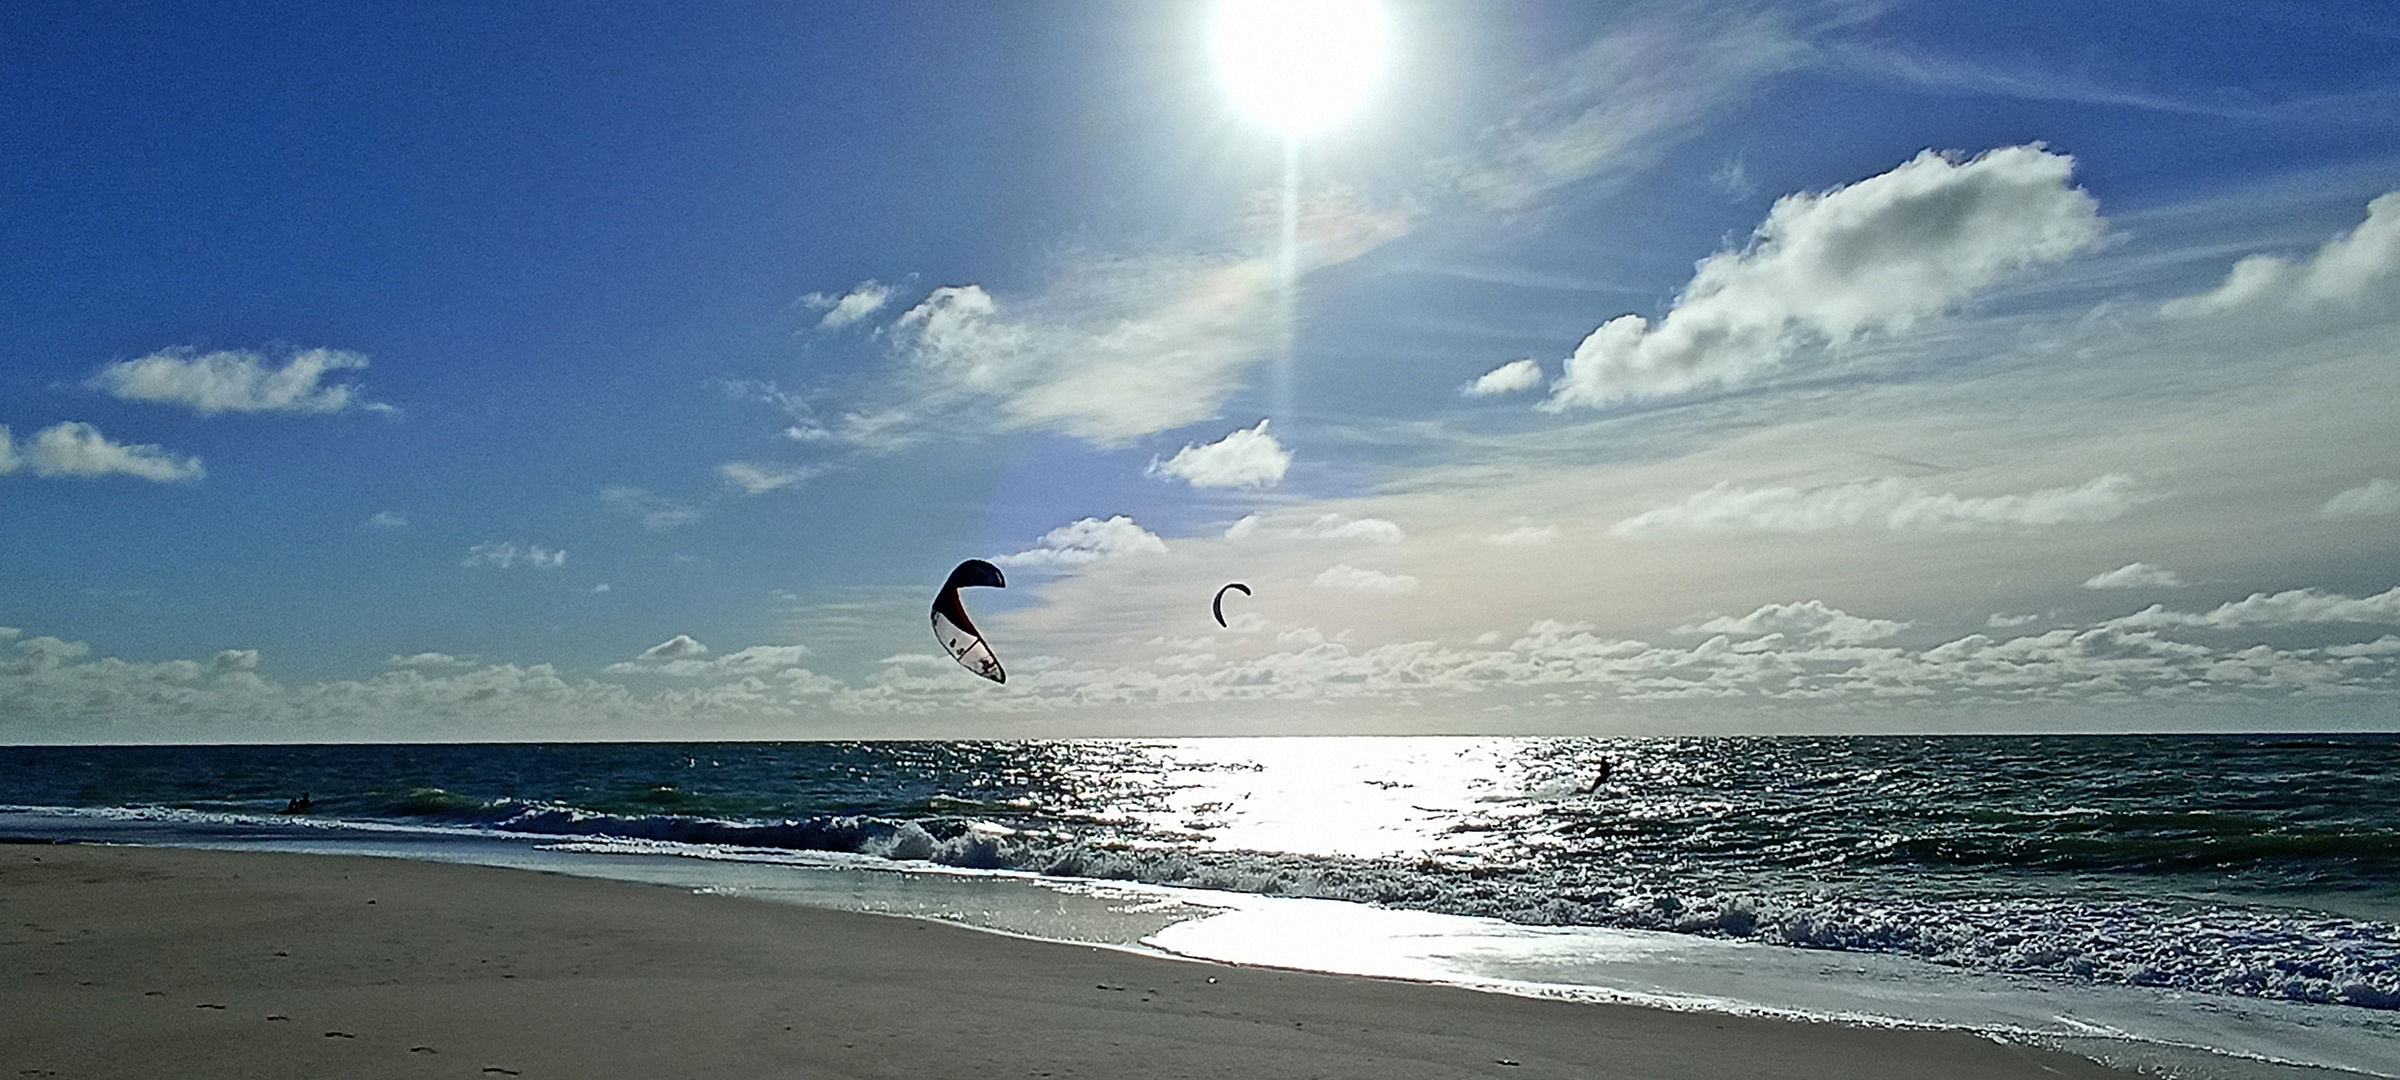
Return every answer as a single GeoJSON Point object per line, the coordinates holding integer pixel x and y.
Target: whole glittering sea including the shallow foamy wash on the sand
{"type": "Point", "coordinates": [2188, 906]}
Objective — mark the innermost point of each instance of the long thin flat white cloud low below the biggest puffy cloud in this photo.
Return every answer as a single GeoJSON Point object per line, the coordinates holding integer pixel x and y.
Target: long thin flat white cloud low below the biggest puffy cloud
{"type": "Point", "coordinates": [1888, 503]}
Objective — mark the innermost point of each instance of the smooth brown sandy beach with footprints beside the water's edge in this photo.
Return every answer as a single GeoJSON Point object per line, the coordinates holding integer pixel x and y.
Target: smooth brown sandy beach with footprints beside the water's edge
{"type": "Point", "coordinates": [172, 964]}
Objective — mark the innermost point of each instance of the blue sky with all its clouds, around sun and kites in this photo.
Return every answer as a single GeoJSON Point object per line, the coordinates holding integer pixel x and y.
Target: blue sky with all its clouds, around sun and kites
{"type": "Point", "coordinates": [637, 373]}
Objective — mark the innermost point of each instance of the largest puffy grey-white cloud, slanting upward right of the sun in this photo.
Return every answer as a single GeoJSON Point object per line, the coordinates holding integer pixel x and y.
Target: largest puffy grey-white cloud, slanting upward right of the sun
{"type": "Point", "coordinates": [1876, 256]}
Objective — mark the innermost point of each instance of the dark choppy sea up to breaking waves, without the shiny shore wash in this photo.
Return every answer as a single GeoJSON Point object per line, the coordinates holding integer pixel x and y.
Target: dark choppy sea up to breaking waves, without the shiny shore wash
{"type": "Point", "coordinates": [2219, 865]}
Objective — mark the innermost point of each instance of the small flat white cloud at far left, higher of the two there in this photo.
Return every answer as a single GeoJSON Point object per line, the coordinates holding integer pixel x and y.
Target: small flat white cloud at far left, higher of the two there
{"type": "Point", "coordinates": [236, 383]}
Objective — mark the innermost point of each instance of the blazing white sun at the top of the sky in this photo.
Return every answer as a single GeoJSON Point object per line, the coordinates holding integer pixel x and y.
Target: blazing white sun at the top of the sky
{"type": "Point", "coordinates": [1300, 66]}
